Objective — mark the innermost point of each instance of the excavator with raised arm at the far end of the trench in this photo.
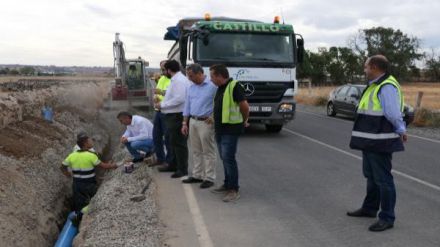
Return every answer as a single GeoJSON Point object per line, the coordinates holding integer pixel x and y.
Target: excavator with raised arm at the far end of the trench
{"type": "Point", "coordinates": [131, 84]}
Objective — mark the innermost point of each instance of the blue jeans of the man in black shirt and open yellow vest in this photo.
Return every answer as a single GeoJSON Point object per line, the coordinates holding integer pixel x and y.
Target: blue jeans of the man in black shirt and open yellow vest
{"type": "Point", "coordinates": [227, 147]}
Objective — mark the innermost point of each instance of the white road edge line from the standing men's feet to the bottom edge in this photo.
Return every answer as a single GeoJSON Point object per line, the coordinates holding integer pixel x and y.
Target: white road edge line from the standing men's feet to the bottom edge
{"type": "Point", "coordinates": [201, 229]}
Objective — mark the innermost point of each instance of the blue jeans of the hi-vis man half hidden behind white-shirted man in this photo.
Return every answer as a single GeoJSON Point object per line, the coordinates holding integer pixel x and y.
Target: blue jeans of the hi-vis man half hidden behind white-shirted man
{"type": "Point", "coordinates": [159, 131]}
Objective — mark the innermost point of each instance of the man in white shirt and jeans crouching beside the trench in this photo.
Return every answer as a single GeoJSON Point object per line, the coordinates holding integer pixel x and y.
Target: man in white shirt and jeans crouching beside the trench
{"type": "Point", "coordinates": [138, 136]}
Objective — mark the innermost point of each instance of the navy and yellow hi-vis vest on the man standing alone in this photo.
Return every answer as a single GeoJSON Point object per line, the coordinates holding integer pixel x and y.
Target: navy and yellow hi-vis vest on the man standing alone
{"type": "Point", "coordinates": [371, 130]}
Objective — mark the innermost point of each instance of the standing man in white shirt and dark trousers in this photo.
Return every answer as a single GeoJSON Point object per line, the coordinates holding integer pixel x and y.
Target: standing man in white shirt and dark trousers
{"type": "Point", "coordinates": [172, 106]}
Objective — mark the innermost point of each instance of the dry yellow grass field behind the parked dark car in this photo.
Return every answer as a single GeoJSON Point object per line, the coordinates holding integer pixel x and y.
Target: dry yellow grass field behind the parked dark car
{"type": "Point", "coordinates": [430, 100]}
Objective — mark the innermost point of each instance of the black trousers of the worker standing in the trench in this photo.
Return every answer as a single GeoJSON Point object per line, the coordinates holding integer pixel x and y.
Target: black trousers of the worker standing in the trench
{"type": "Point", "coordinates": [82, 194]}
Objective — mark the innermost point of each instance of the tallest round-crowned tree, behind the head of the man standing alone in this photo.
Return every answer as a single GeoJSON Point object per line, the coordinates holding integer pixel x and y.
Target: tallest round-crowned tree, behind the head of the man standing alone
{"type": "Point", "coordinates": [401, 50]}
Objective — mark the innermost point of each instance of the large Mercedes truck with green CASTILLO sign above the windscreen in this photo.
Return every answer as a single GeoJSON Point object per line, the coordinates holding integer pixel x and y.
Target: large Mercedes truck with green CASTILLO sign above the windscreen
{"type": "Point", "coordinates": [263, 57]}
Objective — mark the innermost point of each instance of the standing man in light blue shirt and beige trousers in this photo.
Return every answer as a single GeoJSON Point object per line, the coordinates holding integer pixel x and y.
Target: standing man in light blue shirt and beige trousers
{"type": "Point", "coordinates": [198, 123]}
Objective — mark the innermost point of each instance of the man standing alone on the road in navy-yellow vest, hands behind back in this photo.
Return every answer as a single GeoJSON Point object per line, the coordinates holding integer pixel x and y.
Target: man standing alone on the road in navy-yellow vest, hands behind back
{"type": "Point", "coordinates": [378, 131]}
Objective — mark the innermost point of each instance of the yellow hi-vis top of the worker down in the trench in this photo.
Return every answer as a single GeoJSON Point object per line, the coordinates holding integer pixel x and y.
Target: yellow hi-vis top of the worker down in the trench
{"type": "Point", "coordinates": [83, 165]}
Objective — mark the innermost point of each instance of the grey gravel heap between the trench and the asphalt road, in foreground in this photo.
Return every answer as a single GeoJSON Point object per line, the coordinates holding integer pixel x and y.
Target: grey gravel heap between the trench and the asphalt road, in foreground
{"type": "Point", "coordinates": [123, 212]}
